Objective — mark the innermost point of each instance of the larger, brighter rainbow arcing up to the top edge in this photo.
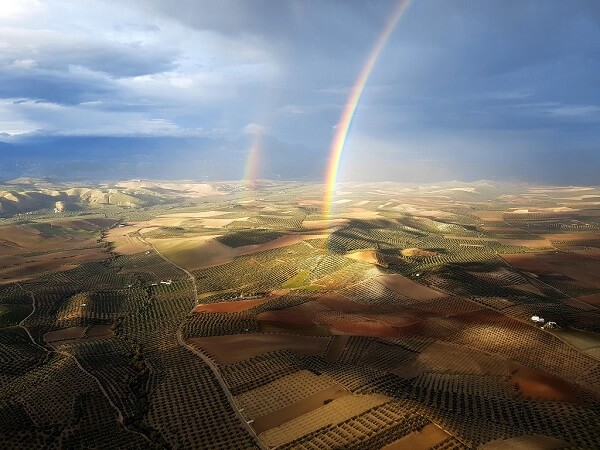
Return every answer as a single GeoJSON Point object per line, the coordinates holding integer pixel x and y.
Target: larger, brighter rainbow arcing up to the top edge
{"type": "Point", "coordinates": [343, 126]}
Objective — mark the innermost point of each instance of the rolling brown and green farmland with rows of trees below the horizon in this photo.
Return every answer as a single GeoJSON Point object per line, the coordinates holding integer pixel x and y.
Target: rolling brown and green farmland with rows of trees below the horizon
{"type": "Point", "coordinates": [219, 316]}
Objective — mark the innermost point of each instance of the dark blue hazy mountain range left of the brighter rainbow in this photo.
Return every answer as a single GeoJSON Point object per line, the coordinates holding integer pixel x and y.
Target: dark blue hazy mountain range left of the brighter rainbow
{"type": "Point", "coordinates": [111, 158]}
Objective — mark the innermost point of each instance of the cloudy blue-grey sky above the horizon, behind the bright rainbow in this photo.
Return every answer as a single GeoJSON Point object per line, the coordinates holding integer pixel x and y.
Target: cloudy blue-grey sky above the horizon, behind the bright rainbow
{"type": "Point", "coordinates": [495, 88]}
